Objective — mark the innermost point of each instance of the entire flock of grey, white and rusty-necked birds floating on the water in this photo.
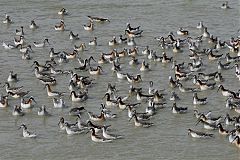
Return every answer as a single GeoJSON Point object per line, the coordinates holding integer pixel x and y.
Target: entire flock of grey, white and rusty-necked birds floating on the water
{"type": "Point", "coordinates": [155, 99]}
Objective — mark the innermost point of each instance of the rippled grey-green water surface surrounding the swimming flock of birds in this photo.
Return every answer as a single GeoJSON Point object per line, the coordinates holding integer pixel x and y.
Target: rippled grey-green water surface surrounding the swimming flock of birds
{"type": "Point", "coordinates": [168, 138]}
